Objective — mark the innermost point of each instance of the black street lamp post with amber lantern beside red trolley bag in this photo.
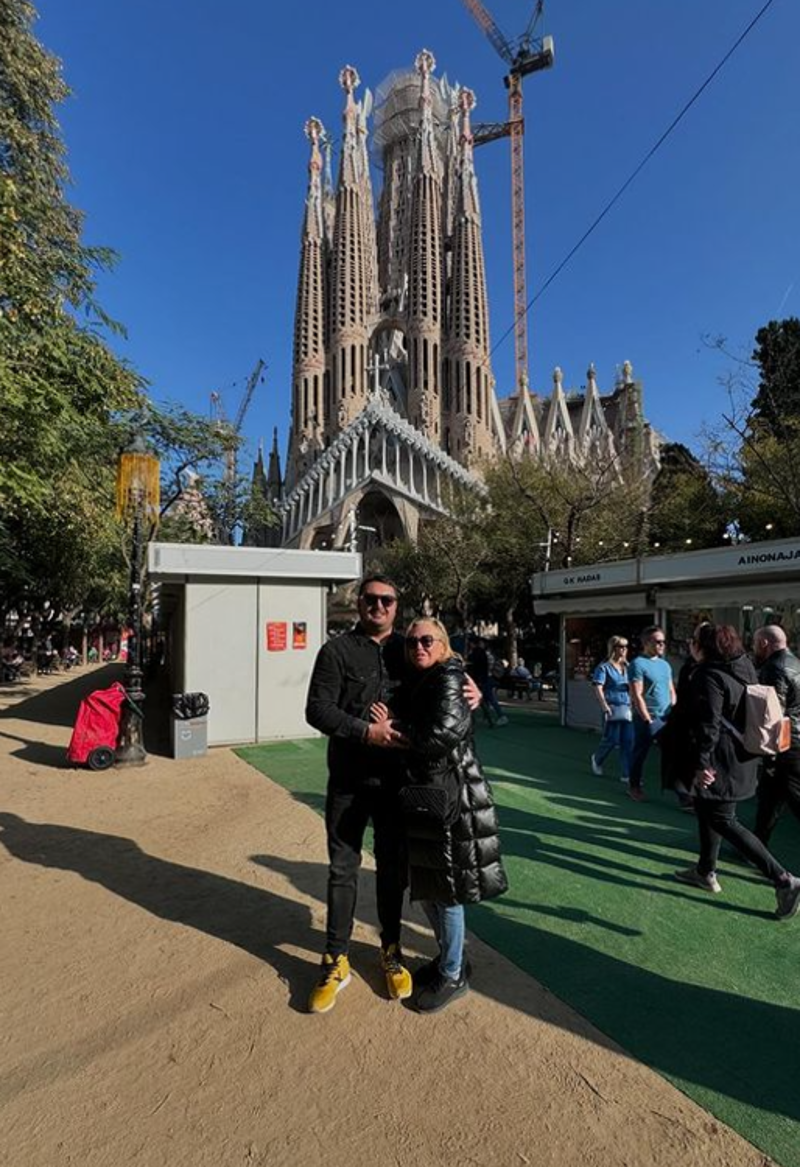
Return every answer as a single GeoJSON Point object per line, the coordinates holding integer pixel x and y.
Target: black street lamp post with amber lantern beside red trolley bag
{"type": "Point", "coordinates": [138, 499]}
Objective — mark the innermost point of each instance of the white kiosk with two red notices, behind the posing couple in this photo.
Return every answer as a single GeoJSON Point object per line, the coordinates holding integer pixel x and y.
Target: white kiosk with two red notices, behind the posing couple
{"type": "Point", "coordinates": [244, 625]}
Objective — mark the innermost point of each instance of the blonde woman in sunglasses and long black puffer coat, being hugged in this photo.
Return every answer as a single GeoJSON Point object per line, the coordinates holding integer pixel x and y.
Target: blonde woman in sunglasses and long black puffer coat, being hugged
{"type": "Point", "coordinates": [454, 851]}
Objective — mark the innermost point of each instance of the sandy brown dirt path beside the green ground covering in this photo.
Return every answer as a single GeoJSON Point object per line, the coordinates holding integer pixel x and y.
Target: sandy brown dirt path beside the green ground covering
{"type": "Point", "coordinates": [160, 931]}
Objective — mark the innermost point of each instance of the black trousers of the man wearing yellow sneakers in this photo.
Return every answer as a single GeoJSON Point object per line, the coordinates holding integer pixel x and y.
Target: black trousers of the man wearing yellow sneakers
{"type": "Point", "coordinates": [349, 808]}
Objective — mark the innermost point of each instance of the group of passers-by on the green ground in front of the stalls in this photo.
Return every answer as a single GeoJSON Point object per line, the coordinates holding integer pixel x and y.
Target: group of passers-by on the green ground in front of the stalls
{"type": "Point", "coordinates": [722, 739]}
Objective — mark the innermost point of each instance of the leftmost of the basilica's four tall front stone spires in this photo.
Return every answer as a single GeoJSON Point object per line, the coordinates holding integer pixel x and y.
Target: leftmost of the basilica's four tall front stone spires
{"type": "Point", "coordinates": [310, 343]}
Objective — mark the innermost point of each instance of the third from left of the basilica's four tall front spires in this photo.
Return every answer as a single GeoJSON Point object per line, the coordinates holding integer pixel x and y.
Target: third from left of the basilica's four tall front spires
{"type": "Point", "coordinates": [426, 268]}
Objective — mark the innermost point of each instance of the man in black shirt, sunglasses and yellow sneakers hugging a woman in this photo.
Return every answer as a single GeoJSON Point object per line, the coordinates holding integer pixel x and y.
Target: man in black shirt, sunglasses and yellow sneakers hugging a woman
{"type": "Point", "coordinates": [353, 673]}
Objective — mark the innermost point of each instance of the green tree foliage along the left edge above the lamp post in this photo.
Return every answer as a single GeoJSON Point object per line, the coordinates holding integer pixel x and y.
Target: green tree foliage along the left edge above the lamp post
{"type": "Point", "coordinates": [67, 402]}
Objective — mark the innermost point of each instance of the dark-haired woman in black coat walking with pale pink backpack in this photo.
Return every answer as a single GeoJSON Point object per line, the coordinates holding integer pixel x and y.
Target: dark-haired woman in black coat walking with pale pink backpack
{"type": "Point", "coordinates": [725, 773]}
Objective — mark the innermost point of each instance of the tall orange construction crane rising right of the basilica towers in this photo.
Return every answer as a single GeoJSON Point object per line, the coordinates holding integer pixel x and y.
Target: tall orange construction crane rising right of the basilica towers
{"type": "Point", "coordinates": [529, 54]}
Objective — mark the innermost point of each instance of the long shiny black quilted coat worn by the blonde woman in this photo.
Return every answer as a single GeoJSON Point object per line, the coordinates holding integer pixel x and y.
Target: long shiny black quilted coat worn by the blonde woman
{"type": "Point", "coordinates": [461, 863]}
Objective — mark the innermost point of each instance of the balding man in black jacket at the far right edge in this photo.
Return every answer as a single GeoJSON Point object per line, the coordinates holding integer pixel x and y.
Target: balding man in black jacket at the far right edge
{"type": "Point", "coordinates": [781, 778]}
